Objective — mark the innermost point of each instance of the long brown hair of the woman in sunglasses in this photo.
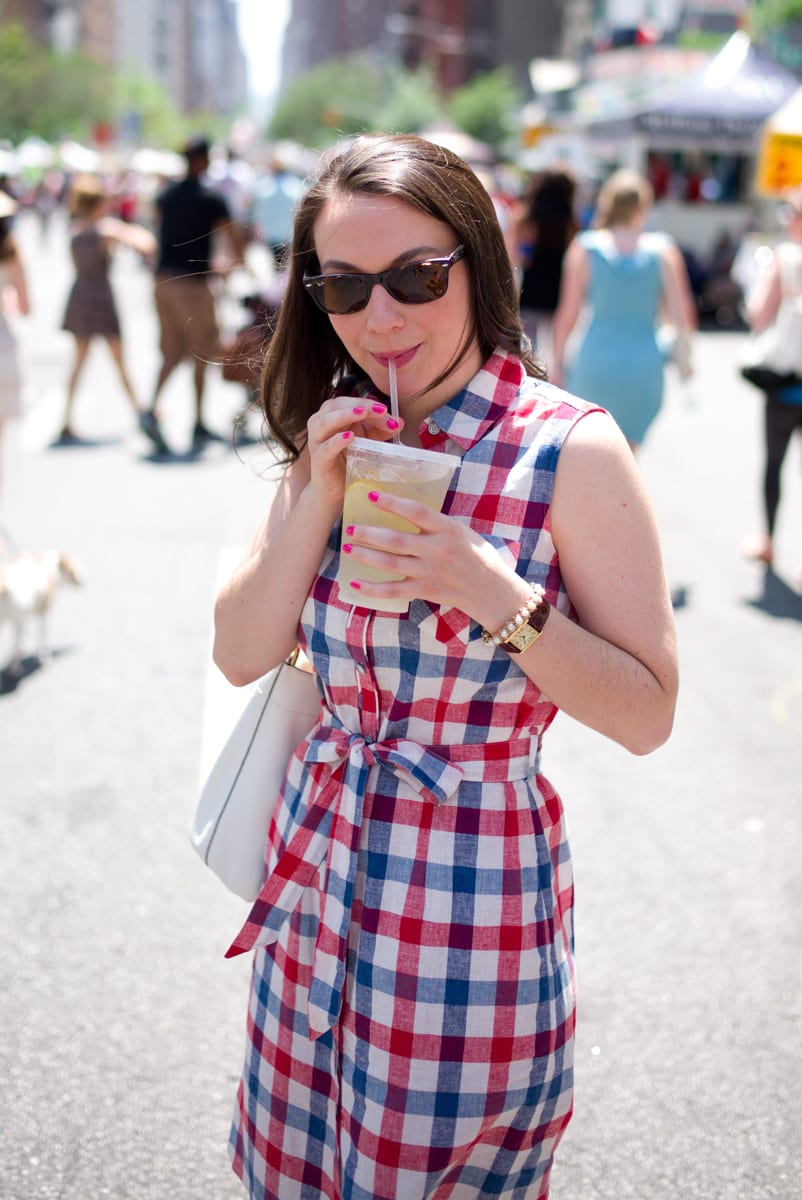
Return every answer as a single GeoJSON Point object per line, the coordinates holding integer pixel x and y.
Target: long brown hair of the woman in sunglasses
{"type": "Point", "coordinates": [307, 357]}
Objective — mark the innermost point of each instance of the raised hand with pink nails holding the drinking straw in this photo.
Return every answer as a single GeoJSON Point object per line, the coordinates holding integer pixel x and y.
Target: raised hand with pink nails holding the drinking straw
{"type": "Point", "coordinates": [330, 431]}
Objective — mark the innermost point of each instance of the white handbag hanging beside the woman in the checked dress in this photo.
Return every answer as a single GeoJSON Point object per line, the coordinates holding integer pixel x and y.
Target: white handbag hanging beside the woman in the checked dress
{"type": "Point", "coordinates": [237, 802]}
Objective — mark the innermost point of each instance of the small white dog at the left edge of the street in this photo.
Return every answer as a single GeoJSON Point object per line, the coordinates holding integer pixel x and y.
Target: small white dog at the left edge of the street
{"type": "Point", "coordinates": [28, 585]}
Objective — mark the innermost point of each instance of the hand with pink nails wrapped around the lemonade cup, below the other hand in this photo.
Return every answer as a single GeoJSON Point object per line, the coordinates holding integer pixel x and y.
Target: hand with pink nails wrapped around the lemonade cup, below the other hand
{"type": "Point", "coordinates": [447, 563]}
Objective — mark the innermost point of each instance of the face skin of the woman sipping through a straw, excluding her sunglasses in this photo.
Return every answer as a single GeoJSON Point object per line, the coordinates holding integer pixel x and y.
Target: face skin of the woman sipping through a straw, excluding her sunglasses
{"type": "Point", "coordinates": [373, 233]}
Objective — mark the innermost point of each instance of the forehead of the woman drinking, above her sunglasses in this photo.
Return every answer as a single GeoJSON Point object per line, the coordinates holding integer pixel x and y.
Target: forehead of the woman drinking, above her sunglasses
{"type": "Point", "coordinates": [373, 231]}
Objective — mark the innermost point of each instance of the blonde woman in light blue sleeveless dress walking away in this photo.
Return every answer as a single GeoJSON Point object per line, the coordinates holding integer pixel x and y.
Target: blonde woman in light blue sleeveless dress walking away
{"type": "Point", "coordinates": [632, 280]}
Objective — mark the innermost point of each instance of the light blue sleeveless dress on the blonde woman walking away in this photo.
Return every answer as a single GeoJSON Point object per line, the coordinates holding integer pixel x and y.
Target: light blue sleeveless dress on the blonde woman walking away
{"type": "Point", "coordinates": [619, 363]}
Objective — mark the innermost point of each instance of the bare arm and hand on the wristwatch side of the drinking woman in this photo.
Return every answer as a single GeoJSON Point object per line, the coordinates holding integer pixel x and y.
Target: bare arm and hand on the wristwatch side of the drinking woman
{"type": "Point", "coordinates": [617, 670]}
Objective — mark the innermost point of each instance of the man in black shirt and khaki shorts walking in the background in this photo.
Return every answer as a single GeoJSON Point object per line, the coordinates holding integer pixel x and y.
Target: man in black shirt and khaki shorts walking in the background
{"type": "Point", "coordinates": [191, 217]}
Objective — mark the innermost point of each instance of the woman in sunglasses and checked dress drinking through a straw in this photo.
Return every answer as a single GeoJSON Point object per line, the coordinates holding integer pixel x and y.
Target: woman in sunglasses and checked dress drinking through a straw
{"type": "Point", "coordinates": [412, 1015]}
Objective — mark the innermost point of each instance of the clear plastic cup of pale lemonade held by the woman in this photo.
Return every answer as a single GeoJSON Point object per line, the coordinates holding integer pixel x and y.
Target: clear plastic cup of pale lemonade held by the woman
{"type": "Point", "coordinates": [372, 466]}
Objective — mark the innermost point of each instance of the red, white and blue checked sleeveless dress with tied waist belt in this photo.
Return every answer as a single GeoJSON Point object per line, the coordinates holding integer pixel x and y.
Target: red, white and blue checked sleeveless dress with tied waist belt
{"type": "Point", "coordinates": [410, 1034]}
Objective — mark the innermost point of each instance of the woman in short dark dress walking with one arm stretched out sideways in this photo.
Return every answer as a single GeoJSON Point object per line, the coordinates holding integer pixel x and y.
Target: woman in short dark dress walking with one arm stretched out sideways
{"type": "Point", "coordinates": [92, 310]}
